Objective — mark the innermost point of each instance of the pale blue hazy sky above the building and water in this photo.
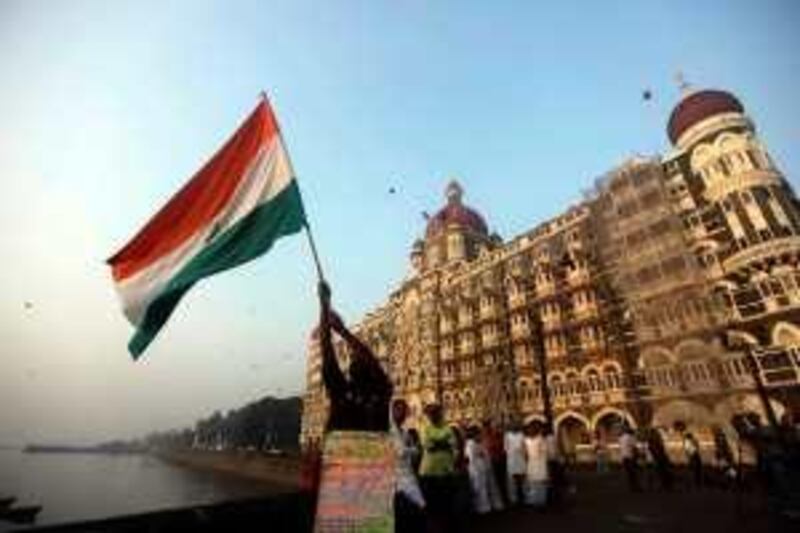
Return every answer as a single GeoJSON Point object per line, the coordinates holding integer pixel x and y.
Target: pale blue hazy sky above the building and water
{"type": "Point", "coordinates": [108, 107]}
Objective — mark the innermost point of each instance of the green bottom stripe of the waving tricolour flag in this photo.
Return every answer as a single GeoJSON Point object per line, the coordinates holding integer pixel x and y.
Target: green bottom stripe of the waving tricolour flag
{"type": "Point", "coordinates": [249, 238]}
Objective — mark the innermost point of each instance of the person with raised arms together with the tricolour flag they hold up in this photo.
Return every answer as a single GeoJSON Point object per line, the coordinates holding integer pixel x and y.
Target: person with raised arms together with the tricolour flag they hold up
{"type": "Point", "coordinates": [230, 212]}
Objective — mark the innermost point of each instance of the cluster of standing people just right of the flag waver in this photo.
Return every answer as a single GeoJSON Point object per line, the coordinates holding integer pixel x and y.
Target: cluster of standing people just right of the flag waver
{"type": "Point", "coordinates": [476, 469]}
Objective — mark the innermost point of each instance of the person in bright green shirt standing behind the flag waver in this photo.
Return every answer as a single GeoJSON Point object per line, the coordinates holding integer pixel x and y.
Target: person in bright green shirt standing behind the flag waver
{"type": "Point", "coordinates": [437, 470]}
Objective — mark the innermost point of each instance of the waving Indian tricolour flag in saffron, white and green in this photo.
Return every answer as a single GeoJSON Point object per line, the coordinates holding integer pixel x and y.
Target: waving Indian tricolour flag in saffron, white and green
{"type": "Point", "coordinates": [230, 212]}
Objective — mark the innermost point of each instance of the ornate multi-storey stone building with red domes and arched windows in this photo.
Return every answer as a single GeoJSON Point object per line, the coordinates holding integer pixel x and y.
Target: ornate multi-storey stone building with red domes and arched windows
{"type": "Point", "coordinates": [646, 298]}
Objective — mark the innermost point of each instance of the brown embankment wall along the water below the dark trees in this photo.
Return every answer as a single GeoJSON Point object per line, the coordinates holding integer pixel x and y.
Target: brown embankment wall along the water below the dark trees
{"type": "Point", "coordinates": [284, 472]}
